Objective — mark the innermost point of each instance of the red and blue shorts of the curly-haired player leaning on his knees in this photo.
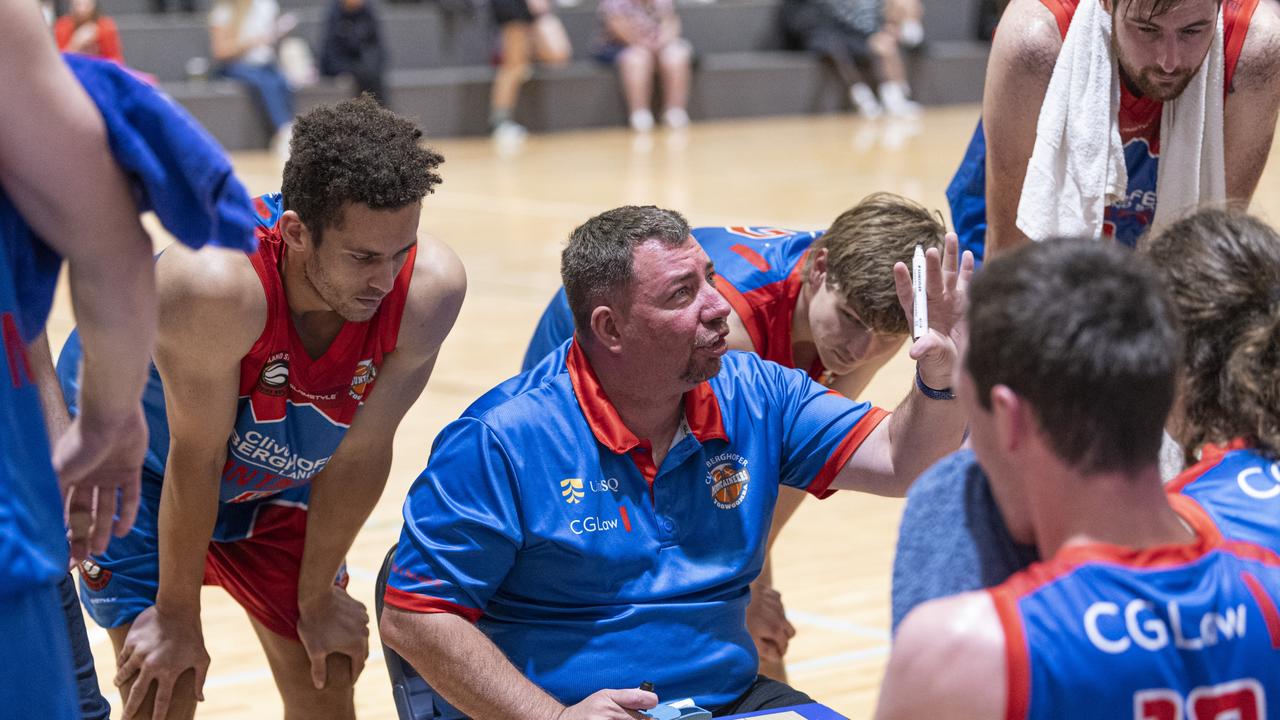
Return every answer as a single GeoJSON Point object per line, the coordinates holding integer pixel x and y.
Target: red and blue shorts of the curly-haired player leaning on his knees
{"type": "Point", "coordinates": [255, 555]}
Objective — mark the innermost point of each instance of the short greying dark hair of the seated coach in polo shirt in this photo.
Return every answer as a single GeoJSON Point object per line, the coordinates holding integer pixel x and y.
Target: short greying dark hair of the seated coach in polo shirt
{"type": "Point", "coordinates": [597, 262]}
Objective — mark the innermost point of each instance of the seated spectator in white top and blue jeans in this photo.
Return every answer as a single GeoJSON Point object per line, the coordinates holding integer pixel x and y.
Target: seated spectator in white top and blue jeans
{"type": "Point", "coordinates": [244, 35]}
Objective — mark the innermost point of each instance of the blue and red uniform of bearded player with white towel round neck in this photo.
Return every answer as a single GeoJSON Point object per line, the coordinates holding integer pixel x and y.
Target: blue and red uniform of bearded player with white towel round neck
{"type": "Point", "coordinates": [1140, 133]}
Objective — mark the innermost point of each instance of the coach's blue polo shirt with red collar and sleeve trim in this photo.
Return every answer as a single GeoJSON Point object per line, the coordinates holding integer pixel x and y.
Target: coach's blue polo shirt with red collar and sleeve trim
{"type": "Point", "coordinates": [545, 521]}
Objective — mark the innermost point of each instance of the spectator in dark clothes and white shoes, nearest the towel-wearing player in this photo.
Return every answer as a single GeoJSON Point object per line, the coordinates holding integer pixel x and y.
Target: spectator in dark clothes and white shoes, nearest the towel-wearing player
{"type": "Point", "coordinates": [852, 38]}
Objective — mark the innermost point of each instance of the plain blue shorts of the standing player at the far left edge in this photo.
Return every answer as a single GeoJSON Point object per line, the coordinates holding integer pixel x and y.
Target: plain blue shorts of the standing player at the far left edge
{"type": "Point", "coordinates": [36, 668]}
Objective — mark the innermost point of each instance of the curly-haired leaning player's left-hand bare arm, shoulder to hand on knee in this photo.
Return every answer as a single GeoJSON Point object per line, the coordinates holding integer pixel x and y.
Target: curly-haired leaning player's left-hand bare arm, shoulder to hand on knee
{"type": "Point", "coordinates": [212, 312]}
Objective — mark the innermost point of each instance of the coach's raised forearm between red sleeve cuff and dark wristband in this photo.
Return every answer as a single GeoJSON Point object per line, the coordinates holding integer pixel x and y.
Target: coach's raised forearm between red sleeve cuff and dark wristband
{"type": "Point", "coordinates": [921, 432]}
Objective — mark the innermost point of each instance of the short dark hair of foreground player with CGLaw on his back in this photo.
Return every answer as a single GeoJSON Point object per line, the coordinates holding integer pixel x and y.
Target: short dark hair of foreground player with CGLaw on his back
{"type": "Point", "coordinates": [1085, 332]}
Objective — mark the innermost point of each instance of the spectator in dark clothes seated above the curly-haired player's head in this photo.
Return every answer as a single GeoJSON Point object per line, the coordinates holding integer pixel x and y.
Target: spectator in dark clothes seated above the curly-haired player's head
{"type": "Point", "coordinates": [354, 47]}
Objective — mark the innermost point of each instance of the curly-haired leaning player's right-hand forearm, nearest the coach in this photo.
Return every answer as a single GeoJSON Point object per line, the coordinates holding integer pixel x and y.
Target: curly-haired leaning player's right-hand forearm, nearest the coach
{"type": "Point", "coordinates": [342, 499]}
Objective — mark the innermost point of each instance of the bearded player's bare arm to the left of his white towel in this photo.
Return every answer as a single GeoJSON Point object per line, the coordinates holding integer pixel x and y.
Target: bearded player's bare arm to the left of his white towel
{"type": "Point", "coordinates": [1022, 62]}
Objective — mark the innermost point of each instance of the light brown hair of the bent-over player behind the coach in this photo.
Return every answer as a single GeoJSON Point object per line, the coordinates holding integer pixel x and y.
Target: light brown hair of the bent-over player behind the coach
{"type": "Point", "coordinates": [863, 245]}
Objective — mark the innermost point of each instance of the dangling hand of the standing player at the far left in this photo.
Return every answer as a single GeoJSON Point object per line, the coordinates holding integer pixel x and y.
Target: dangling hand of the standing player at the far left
{"type": "Point", "coordinates": [99, 463]}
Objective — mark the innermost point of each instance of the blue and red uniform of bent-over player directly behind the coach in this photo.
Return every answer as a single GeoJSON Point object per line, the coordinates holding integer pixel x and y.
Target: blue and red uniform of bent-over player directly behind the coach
{"type": "Point", "coordinates": [760, 272]}
